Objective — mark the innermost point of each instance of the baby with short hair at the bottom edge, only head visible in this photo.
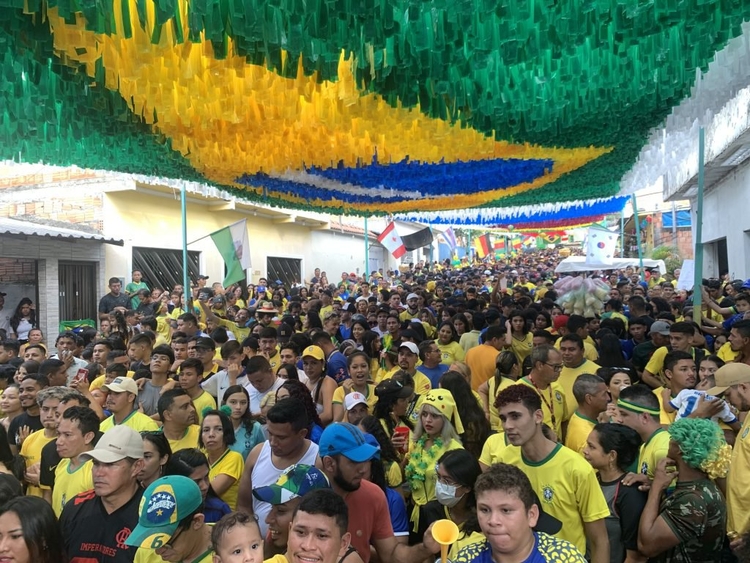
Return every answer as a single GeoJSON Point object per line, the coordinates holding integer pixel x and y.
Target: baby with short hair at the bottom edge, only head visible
{"type": "Point", "coordinates": [236, 538]}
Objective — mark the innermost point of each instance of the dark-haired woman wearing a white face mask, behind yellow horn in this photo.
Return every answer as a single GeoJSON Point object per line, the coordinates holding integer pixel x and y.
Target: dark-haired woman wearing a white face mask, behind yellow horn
{"type": "Point", "coordinates": [456, 473]}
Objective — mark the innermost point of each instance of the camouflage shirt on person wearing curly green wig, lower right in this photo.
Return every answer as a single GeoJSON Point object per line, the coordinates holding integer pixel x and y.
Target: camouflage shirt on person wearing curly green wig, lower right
{"type": "Point", "coordinates": [697, 515]}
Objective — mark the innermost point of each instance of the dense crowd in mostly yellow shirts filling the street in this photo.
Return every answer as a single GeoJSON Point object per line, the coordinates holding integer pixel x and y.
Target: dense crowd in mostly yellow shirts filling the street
{"type": "Point", "coordinates": [339, 422]}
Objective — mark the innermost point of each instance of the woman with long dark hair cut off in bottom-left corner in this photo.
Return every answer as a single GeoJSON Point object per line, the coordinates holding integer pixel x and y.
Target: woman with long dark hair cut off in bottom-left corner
{"type": "Point", "coordinates": [30, 533]}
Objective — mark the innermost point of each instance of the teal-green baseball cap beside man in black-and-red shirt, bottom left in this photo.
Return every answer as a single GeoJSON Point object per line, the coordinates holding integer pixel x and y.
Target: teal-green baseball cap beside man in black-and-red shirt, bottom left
{"type": "Point", "coordinates": [164, 504]}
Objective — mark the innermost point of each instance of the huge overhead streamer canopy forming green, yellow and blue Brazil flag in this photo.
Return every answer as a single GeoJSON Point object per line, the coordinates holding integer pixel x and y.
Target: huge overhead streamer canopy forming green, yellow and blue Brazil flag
{"type": "Point", "coordinates": [370, 107]}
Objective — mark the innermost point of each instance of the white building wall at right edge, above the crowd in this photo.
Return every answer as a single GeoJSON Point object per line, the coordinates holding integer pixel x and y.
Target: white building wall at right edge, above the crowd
{"type": "Point", "coordinates": [725, 216]}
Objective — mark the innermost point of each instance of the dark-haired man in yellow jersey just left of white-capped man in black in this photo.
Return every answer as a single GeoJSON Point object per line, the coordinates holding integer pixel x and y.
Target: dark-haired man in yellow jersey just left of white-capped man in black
{"type": "Point", "coordinates": [75, 436]}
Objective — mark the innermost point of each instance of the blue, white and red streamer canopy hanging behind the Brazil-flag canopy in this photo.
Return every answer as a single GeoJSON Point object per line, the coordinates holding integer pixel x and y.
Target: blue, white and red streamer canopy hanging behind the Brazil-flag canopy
{"type": "Point", "coordinates": [544, 216]}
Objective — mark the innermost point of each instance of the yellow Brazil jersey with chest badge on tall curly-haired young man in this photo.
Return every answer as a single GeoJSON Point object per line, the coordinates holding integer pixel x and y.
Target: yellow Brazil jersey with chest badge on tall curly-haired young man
{"type": "Point", "coordinates": [567, 487]}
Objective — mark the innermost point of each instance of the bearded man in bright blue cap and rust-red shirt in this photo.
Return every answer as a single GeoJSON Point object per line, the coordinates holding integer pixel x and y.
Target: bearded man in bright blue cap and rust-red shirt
{"type": "Point", "coordinates": [345, 456]}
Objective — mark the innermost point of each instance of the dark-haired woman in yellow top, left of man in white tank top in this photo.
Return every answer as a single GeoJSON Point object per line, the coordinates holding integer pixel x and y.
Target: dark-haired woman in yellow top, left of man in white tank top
{"type": "Point", "coordinates": [225, 465]}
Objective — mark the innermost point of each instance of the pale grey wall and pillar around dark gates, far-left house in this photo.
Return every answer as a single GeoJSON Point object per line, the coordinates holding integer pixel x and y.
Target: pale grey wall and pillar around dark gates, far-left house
{"type": "Point", "coordinates": [48, 252]}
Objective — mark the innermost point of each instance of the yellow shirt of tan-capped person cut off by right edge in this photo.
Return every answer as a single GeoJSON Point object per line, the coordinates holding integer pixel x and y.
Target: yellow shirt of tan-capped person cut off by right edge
{"type": "Point", "coordinates": [738, 494]}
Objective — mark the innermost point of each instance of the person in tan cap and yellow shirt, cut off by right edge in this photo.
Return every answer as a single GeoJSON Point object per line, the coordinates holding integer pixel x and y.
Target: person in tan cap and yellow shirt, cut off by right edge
{"type": "Point", "coordinates": [733, 380]}
